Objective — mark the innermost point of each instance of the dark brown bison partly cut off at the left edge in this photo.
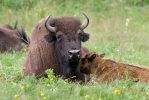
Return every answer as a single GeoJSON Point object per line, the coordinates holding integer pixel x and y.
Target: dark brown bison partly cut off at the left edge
{"type": "Point", "coordinates": [12, 38]}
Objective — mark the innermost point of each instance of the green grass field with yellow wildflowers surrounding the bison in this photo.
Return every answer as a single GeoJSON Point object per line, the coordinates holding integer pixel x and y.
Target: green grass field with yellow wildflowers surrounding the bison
{"type": "Point", "coordinates": [120, 28]}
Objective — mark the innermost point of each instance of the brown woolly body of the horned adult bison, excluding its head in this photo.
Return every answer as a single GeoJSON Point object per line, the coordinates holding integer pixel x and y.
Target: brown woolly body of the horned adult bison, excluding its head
{"type": "Point", "coordinates": [39, 58]}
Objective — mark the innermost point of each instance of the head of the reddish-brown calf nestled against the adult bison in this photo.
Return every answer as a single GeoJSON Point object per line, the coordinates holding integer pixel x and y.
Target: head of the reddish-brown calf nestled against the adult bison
{"type": "Point", "coordinates": [90, 62]}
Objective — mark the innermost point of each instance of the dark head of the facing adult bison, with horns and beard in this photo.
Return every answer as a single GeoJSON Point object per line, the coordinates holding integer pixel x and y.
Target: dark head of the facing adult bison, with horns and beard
{"type": "Point", "coordinates": [67, 33]}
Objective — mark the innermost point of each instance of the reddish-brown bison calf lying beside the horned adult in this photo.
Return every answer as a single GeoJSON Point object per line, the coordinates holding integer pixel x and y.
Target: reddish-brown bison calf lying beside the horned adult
{"type": "Point", "coordinates": [106, 70]}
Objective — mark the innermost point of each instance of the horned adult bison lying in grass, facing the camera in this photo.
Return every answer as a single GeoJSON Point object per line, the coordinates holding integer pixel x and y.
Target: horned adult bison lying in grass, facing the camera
{"type": "Point", "coordinates": [56, 43]}
